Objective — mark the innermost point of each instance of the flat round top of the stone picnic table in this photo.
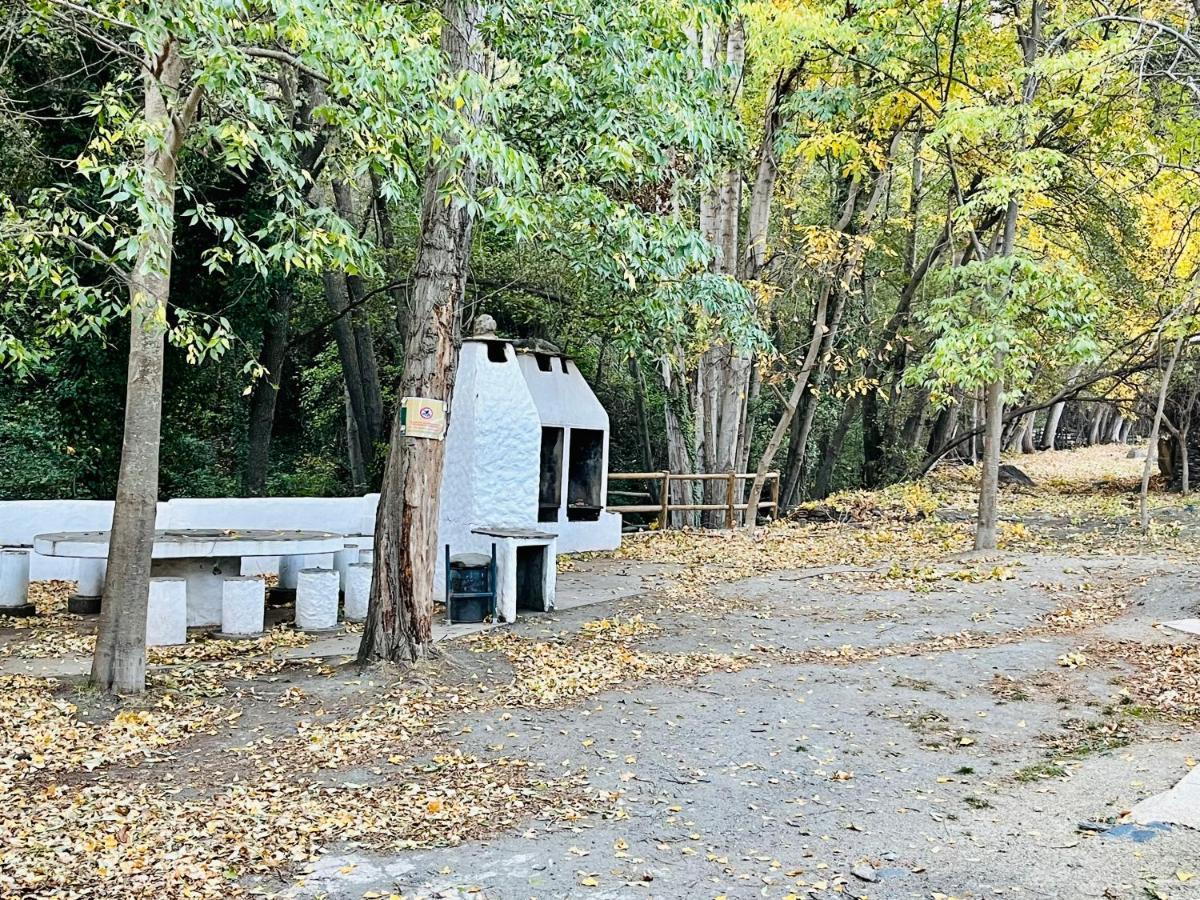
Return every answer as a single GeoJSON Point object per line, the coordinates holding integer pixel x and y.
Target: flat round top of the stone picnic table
{"type": "Point", "coordinates": [194, 543]}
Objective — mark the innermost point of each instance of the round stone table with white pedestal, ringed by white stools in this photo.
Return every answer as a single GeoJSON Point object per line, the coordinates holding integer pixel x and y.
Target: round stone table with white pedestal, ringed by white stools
{"type": "Point", "coordinates": [202, 557]}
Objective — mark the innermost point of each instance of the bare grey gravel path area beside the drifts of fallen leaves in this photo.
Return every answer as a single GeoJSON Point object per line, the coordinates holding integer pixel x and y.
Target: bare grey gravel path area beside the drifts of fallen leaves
{"type": "Point", "coordinates": [965, 773]}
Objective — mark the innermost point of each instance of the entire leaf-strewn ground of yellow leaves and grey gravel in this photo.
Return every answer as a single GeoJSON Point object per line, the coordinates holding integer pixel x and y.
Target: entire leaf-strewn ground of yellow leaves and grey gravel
{"type": "Point", "coordinates": [859, 709]}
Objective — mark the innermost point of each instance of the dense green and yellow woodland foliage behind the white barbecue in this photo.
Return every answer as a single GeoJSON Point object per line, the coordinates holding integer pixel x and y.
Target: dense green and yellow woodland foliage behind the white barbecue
{"type": "Point", "coordinates": [821, 190]}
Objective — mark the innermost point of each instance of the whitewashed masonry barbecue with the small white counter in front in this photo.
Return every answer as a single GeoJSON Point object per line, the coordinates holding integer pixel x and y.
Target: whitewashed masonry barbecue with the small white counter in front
{"type": "Point", "coordinates": [526, 469]}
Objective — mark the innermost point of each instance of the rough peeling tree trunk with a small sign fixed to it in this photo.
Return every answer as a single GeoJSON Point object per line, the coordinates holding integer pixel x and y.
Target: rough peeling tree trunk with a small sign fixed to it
{"type": "Point", "coordinates": [400, 617]}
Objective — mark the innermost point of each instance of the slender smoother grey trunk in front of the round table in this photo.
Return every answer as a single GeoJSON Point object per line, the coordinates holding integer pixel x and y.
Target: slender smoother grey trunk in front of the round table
{"type": "Point", "coordinates": [121, 659]}
